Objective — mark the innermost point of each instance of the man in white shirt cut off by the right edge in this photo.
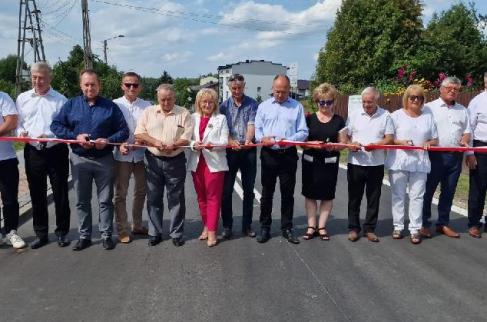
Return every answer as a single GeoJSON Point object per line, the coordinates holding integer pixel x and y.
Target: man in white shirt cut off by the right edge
{"type": "Point", "coordinates": [477, 111]}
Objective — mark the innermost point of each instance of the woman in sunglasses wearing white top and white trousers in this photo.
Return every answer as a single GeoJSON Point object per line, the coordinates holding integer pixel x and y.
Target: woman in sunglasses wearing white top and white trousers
{"type": "Point", "coordinates": [409, 168]}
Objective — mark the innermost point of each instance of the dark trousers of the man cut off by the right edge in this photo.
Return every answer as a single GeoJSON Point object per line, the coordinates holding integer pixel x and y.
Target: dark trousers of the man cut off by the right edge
{"type": "Point", "coordinates": [477, 187]}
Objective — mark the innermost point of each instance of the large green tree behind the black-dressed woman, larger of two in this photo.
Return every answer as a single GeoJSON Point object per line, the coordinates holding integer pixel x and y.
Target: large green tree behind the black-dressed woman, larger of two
{"type": "Point", "coordinates": [369, 40]}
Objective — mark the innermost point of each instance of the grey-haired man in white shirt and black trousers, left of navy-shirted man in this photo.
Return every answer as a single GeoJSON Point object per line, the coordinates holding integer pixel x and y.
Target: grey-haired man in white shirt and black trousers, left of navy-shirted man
{"type": "Point", "coordinates": [37, 108]}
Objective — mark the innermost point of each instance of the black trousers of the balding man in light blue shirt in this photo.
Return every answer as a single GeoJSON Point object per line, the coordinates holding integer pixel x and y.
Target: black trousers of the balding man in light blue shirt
{"type": "Point", "coordinates": [283, 165]}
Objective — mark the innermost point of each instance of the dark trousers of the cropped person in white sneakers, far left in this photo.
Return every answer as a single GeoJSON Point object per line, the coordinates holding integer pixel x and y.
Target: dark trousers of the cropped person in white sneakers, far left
{"type": "Point", "coordinates": [9, 189]}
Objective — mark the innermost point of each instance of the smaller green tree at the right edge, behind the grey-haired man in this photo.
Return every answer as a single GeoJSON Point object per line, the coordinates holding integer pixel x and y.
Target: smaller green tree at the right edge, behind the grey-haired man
{"type": "Point", "coordinates": [452, 43]}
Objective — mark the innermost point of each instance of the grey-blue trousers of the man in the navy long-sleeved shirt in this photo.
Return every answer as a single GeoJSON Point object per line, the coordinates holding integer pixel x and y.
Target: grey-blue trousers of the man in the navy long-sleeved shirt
{"type": "Point", "coordinates": [85, 171]}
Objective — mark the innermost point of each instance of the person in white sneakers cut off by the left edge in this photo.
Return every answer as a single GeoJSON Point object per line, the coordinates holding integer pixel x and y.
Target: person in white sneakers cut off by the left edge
{"type": "Point", "coordinates": [9, 173]}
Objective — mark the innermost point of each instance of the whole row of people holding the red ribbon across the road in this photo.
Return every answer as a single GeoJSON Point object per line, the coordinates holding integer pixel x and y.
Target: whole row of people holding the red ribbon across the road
{"type": "Point", "coordinates": [220, 139]}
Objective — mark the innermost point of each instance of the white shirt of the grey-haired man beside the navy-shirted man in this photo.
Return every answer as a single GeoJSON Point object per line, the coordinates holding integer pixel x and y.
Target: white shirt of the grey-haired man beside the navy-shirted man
{"type": "Point", "coordinates": [36, 113]}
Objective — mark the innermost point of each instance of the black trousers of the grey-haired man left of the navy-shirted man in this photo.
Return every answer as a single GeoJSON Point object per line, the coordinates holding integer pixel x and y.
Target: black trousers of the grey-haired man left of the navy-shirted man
{"type": "Point", "coordinates": [40, 164]}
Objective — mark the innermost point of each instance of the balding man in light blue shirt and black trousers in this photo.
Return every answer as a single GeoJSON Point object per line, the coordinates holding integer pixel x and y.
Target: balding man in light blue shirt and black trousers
{"type": "Point", "coordinates": [279, 118]}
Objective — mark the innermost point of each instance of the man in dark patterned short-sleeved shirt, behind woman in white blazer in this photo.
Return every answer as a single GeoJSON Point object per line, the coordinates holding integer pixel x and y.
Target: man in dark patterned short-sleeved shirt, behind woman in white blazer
{"type": "Point", "coordinates": [240, 111]}
